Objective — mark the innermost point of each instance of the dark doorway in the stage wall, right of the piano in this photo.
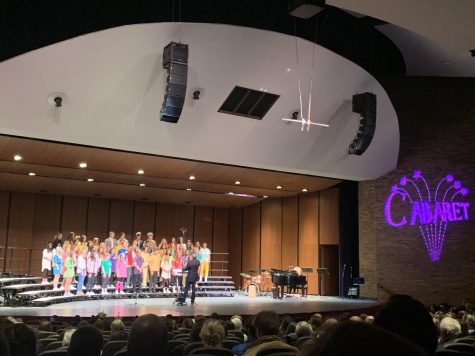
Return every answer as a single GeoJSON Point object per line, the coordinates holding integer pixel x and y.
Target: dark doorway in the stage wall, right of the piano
{"type": "Point", "coordinates": [329, 257]}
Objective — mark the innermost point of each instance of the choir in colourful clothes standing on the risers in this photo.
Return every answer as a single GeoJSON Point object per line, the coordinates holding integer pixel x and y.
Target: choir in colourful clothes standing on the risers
{"type": "Point", "coordinates": [134, 265]}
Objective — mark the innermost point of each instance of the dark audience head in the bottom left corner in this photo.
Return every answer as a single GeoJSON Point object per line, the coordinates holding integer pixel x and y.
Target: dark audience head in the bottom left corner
{"type": "Point", "coordinates": [21, 340]}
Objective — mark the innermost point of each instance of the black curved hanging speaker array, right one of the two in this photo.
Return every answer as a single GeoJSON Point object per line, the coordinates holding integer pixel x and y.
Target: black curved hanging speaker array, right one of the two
{"type": "Point", "coordinates": [364, 105]}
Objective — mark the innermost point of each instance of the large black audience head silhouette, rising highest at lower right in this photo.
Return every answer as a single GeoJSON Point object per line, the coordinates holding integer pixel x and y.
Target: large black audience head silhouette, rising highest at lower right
{"type": "Point", "coordinates": [408, 318]}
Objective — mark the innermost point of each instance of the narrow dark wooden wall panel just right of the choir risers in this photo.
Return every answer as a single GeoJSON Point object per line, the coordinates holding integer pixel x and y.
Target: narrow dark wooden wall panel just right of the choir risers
{"type": "Point", "coordinates": [235, 245]}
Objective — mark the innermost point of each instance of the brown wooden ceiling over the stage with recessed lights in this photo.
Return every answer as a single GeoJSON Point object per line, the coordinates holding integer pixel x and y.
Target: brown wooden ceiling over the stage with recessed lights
{"type": "Point", "coordinates": [115, 175]}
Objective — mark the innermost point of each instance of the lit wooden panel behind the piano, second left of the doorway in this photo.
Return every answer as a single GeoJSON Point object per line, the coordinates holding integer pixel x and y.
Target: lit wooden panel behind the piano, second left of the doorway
{"type": "Point", "coordinates": [290, 231]}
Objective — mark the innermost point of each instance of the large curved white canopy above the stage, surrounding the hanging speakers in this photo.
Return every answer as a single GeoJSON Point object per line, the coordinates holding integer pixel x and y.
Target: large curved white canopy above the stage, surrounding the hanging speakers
{"type": "Point", "coordinates": [114, 84]}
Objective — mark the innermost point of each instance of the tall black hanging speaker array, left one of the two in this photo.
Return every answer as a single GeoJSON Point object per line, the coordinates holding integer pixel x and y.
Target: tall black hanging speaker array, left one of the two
{"type": "Point", "coordinates": [175, 61]}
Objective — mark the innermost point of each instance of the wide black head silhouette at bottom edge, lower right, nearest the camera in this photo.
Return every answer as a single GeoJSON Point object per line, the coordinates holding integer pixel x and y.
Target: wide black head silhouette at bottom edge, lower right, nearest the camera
{"type": "Point", "coordinates": [360, 339]}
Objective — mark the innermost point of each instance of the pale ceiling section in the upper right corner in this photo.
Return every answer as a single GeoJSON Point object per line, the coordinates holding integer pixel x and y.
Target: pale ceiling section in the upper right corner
{"type": "Point", "coordinates": [447, 22]}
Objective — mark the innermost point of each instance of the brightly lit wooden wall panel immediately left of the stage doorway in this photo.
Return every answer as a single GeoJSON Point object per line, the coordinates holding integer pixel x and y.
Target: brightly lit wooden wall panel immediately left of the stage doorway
{"type": "Point", "coordinates": [308, 236]}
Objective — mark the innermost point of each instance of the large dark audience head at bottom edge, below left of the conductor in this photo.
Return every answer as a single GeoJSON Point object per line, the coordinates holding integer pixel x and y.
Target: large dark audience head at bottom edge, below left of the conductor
{"type": "Point", "coordinates": [148, 336]}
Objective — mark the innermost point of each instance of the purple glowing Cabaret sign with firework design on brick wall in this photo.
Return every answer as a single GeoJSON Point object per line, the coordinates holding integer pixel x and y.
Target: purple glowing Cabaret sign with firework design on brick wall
{"type": "Point", "coordinates": [429, 210]}
